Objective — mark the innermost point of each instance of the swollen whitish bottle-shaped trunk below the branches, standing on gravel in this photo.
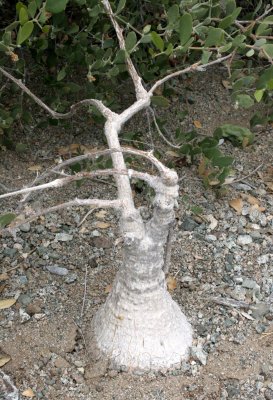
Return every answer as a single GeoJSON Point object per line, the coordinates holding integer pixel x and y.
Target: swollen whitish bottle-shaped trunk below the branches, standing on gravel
{"type": "Point", "coordinates": [140, 327]}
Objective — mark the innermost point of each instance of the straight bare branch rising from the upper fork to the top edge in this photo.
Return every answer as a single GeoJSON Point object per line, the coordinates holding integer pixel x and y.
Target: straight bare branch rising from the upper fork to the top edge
{"type": "Point", "coordinates": [139, 89]}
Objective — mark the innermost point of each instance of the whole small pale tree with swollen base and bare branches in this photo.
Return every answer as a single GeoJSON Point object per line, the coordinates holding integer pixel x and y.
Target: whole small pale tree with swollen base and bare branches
{"type": "Point", "coordinates": [139, 326]}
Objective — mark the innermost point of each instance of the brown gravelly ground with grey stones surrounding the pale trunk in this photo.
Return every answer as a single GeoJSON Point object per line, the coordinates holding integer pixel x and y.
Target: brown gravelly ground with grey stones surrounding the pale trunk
{"type": "Point", "coordinates": [59, 269]}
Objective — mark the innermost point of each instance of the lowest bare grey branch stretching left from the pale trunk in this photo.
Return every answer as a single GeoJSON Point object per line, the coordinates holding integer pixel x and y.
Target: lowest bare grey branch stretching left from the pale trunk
{"type": "Point", "coordinates": [97, 203]}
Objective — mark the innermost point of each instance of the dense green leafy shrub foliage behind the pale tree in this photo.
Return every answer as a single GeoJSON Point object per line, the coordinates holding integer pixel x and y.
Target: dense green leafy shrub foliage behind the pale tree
{"type": "Point", "coordinates": [72, 45]}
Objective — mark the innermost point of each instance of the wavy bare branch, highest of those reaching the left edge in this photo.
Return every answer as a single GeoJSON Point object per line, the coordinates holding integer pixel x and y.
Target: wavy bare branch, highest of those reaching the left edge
{"type": "Point", "coordinates": [106, 112]}
